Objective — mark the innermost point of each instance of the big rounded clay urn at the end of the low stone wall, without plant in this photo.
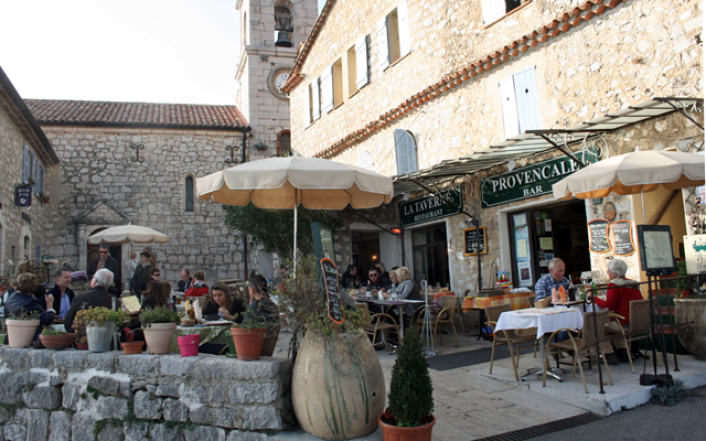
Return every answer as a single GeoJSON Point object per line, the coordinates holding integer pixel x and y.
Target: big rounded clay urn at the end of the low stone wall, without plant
{"type": "Point", "coordinates": [338, 389]}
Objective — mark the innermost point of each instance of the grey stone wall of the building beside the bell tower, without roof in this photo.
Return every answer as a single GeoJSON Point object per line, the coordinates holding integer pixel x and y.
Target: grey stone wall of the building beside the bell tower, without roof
{"type": "Point", "coordinates": [99, 186]}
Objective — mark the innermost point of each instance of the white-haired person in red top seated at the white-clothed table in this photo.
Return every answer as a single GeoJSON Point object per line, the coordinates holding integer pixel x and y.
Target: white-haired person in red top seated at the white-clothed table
{"type": "Point", "coordinates": [618, 299]}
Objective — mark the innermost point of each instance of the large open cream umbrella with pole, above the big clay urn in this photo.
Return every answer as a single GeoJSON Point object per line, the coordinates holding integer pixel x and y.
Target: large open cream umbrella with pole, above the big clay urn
{"type": "Point", "coordinates": [284, 183]}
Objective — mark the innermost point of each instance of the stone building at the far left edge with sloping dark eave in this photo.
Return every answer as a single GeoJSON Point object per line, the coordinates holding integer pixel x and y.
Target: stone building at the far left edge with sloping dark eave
{"type": "Point", "coordinates": [28, 159]}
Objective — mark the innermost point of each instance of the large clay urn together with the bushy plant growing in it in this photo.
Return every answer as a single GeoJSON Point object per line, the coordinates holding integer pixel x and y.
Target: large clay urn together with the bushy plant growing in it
{"type": "Point", "coordinates": [337, 379]}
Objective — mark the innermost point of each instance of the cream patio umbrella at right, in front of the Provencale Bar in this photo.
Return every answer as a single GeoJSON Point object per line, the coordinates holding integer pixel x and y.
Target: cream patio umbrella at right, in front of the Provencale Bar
{"type": "Point", "coordinates": [633, 173]}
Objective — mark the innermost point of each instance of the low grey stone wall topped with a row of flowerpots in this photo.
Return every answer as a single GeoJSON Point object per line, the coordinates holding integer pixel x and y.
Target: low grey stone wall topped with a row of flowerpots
{"type": "Point", "coordinates": [80, 396]}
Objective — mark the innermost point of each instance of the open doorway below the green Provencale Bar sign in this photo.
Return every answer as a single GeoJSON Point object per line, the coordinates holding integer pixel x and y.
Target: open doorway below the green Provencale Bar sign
{"type": "Point", "coordinates": [538, 235]}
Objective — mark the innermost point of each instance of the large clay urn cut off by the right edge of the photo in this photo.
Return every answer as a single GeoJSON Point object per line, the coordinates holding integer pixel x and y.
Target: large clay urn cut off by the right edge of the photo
{"type": "Point", "coordinates": [693, 335]}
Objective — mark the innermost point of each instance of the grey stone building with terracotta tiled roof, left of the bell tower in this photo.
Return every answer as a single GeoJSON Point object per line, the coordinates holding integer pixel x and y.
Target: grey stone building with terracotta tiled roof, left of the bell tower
{"type": "Point", "coordinates": [137, 163]}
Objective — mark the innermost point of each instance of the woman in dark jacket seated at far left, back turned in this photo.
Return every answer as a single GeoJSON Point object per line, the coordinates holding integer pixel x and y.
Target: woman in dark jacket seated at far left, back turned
{"type": "Point", "coordinates": [23, 302]}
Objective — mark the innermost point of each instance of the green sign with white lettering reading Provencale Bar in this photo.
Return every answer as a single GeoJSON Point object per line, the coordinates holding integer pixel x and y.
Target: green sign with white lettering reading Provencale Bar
{"type": "Point", "coordinates": [530, 181]}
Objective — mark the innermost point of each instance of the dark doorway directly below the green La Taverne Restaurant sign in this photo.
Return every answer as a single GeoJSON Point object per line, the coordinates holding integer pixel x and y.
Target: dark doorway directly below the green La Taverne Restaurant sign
{"type": "Point", "coordinates": [431, 255]}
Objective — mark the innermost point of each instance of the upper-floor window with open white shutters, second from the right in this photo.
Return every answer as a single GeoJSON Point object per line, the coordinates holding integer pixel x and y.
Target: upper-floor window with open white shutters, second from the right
{"type": "Point", "coordinates": [392, 35]}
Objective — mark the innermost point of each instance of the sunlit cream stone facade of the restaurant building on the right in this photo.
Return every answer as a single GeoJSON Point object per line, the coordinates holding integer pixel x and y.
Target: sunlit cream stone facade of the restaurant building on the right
{"type": "Point", "coordinates": [588, 62]}
